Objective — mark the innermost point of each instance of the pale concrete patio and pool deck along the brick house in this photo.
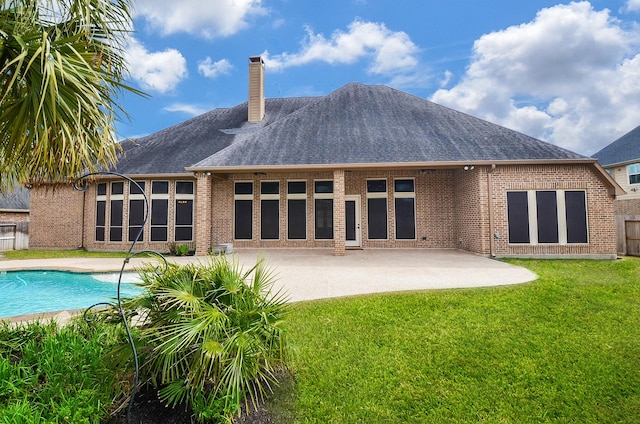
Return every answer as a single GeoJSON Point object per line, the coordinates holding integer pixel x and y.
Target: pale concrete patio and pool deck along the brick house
{"type": "Point", "coordinates": [307, 274]}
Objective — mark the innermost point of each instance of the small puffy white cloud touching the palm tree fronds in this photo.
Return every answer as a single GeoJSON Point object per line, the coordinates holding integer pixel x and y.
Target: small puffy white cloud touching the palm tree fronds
{"type": "Point", "coordinates": [155, 71]}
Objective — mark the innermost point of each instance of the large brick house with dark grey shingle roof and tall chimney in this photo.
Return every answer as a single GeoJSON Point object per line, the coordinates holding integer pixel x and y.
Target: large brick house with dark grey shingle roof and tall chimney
{"type": "Point", "coordinates": [362, 167]}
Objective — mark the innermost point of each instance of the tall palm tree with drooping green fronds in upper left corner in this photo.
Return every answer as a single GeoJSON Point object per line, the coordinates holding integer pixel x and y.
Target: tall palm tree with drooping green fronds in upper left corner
{"type": "Point", "coordinates": [61, 69]}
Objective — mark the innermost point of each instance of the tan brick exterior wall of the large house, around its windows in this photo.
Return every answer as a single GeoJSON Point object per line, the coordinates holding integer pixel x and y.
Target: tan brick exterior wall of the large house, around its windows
{"type": "Point", "coordinates": [454, 208]}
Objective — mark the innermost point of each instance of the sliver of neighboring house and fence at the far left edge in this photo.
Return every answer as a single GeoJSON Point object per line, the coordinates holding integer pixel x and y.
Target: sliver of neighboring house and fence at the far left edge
{"type": "Point", "coordinates": [14, 219]}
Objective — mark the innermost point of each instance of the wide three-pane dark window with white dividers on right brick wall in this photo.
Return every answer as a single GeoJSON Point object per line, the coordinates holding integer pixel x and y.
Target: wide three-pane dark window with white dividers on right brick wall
{"type": "Point", "coordinates": [559, 217]}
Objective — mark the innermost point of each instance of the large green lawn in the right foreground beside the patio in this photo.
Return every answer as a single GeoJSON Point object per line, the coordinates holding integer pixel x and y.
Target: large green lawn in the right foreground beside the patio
{"type": "Point", "coordinates": [565, 348]}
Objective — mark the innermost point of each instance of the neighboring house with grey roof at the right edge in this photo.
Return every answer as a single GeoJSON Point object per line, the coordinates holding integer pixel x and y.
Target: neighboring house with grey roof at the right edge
{"type": "Point", "coordinates": [621, 159]}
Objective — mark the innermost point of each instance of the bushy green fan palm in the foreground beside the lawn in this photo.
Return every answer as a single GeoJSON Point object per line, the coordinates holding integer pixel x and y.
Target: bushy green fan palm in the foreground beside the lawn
{"type": "Point", "coordinates": [212, 336]}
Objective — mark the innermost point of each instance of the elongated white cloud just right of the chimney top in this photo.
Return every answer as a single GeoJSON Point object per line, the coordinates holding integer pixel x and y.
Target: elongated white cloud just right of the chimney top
{"type": "Point", "coordinates": [391, 52]}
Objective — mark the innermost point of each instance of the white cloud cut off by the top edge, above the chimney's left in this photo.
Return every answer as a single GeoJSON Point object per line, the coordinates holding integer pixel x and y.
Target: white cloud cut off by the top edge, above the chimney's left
{"type": "Point", "coordinates": [206, 18]}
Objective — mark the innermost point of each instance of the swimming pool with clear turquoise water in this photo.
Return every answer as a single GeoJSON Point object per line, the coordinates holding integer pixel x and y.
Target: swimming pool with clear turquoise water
{"type": "Point", "coordinates": [30, 292]}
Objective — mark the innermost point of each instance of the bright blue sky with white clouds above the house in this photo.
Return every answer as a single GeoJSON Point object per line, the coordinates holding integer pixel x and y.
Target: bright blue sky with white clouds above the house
{"type": "Point", "coordinates": [567, 73]}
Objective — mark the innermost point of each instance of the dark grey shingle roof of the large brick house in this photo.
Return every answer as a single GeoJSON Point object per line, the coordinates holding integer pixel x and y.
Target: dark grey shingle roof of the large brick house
{"type": "Point", "coordinates": [355, 124]}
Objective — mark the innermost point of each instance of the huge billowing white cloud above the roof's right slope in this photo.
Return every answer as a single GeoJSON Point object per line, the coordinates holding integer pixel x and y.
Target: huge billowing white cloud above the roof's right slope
{"type": "Point", "coordinates": [570, 76]}
